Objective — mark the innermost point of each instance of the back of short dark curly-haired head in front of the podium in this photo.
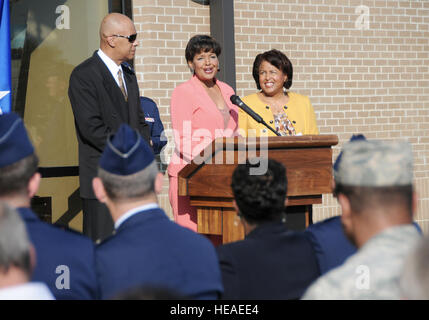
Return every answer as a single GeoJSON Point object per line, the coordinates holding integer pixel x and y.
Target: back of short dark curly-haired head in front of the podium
{"type": "Point", "coordinates": [260, 198]}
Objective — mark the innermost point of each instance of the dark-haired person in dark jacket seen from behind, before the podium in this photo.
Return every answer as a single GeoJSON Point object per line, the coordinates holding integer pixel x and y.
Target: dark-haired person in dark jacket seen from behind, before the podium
{"type": "Point", "coordinates": [271, 262]}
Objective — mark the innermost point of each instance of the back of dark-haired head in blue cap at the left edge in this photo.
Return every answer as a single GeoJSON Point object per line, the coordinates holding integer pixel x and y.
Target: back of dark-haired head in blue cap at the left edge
{"type": "Point", "coordinates": [18, 162]}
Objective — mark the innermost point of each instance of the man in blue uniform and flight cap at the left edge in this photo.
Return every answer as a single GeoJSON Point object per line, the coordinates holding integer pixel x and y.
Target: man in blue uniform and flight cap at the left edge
{"type": "Point", "coordinates": [65, 261]}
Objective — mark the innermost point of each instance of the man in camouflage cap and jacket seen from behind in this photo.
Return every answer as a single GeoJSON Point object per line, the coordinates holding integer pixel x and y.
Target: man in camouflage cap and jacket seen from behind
{"type": "Point", "coordinates": [373, 185]}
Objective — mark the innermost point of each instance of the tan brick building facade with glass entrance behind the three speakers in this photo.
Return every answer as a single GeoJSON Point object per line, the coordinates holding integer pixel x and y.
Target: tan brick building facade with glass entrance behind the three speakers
{"type": "Point", "coordinates": [363, 63]}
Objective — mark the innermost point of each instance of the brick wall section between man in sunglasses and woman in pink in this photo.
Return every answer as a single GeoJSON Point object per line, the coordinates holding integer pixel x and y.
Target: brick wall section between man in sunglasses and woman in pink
{"type": "Point", "coordinates": [164, 28]}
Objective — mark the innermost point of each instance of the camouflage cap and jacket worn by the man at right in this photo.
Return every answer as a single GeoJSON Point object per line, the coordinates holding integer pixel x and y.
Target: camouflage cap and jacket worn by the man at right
{"type": "Point", "coordinates": [374, 271]}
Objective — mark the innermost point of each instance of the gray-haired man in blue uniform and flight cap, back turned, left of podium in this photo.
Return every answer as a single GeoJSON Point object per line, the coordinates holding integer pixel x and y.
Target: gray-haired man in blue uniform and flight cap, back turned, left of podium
{"type": "Point", "coordinates": [147, 249]}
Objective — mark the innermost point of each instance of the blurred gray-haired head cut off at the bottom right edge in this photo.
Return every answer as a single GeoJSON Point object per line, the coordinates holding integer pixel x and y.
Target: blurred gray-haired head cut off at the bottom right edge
{"type": "Point", "coordinates": [414, 281]}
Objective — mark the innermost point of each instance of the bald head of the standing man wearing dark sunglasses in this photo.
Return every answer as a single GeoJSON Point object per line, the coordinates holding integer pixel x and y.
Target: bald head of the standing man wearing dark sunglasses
{"type": "Point", "coordinates": [114, 32]}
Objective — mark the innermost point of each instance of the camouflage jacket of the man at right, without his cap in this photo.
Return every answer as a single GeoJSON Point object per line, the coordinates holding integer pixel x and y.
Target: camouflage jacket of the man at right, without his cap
{"type": "Point", "coordinates": [373, 272]}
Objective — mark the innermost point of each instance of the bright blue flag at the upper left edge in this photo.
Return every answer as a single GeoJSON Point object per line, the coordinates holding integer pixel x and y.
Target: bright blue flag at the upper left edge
{"type": "Point", "coordinates": [5, 74]}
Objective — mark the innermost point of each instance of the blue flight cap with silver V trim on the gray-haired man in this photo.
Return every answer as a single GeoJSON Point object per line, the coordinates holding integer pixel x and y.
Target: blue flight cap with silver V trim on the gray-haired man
{"type": "Point", "coordinates": [126, 152]}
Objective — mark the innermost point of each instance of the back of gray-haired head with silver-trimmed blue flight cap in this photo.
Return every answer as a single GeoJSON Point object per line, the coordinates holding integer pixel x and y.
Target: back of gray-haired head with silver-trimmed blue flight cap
{"type": "Point", "coordinates": [127, 166]}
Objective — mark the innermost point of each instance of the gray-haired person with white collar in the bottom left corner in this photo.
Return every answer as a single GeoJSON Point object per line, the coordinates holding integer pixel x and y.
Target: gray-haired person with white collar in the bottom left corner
{"type": "Point", "coordinates": [17, 260]}
